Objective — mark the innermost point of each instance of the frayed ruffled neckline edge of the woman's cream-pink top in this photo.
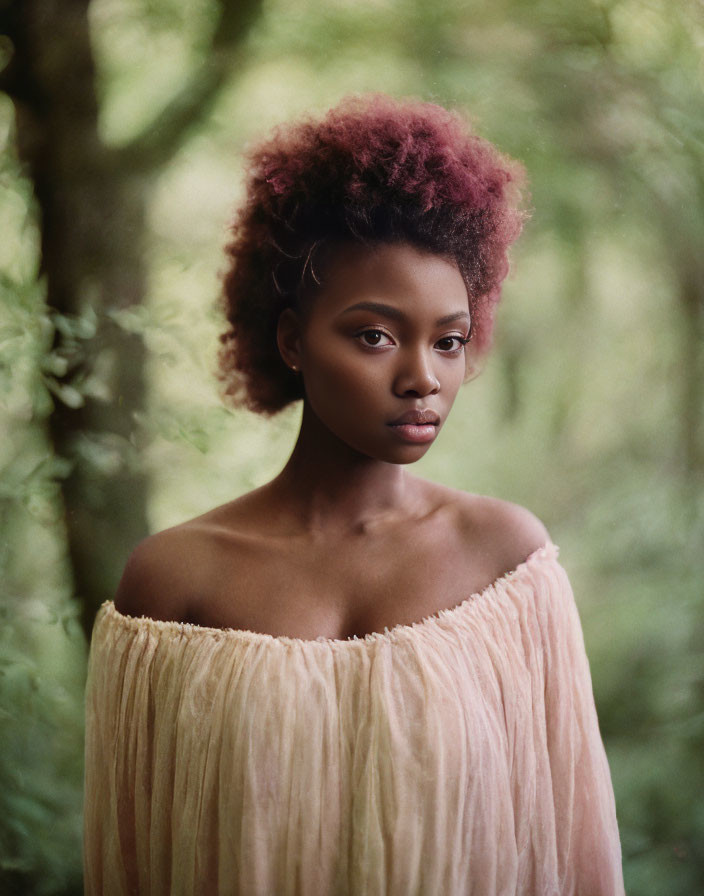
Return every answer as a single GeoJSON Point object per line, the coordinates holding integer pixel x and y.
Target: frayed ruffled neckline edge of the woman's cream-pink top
{"type": "Point", "coordinates": [547, 552]}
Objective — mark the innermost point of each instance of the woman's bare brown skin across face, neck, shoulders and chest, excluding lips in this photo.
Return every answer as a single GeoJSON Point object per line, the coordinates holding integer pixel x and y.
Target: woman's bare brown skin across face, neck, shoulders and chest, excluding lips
{"type": "Point", "coordinates": [345, 540]}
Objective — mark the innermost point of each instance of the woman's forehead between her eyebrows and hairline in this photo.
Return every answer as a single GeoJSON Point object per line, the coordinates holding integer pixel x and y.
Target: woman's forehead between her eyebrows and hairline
{"type": "Point", "coordinates": [416, 281]}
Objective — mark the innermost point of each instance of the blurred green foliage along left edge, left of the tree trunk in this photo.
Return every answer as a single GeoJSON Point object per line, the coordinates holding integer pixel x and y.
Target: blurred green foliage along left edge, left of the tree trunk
{"type": "Point", "coordinates": [42, 651]}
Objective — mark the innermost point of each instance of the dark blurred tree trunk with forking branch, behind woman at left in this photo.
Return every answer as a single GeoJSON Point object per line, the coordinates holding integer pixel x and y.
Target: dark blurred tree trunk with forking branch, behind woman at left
{"type": "Point", "coordinates": [92, 208]}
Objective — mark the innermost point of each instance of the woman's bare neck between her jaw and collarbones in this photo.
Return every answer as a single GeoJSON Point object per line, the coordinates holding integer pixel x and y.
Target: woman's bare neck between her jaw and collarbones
{"type": "Point", "coordinates": [333, 488]}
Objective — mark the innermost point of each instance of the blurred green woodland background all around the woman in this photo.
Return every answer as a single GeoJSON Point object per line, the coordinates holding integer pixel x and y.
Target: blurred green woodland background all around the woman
{"type": "Point", "coordinates": [122, 124]}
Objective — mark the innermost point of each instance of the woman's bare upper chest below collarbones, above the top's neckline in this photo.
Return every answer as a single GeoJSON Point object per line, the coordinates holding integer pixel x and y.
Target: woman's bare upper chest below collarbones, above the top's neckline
{"type": "Point", "coordinates": [341, 587]}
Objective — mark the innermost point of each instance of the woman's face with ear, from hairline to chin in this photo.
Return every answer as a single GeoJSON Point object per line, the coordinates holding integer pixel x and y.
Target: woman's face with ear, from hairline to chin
{"type": "Point", "coordinates": [381, 348]}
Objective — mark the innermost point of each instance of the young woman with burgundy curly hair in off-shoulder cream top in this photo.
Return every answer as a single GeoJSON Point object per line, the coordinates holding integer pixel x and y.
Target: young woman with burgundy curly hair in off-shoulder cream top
{"type": "Point", "coordinates": [352, 680]}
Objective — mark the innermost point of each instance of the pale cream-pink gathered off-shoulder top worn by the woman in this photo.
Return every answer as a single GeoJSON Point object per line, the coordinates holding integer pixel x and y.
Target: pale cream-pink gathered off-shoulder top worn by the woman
{"type": "Point", "coordinates": [457, 755]}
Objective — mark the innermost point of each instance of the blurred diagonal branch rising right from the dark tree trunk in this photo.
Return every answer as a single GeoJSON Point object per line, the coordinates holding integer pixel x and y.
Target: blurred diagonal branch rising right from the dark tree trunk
{"type": "Point", "coordinates": [163, 136]}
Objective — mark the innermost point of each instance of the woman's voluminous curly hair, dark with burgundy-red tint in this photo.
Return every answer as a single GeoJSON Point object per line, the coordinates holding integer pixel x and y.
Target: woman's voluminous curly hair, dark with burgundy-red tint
{"type": "Point", "coordinates": [373, 170]}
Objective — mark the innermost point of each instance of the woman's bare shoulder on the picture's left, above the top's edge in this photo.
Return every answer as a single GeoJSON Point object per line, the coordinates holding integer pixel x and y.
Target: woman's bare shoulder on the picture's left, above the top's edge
{"type": "Point", "coordinates": [162, 574]}
